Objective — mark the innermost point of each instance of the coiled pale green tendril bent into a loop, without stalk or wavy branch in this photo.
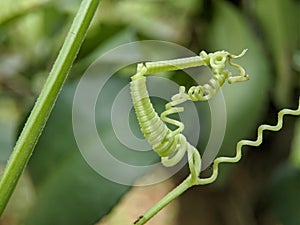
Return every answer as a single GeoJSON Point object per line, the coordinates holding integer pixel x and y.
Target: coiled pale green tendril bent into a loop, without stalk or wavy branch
{"type": "Point", "coordinates": [172, 145]}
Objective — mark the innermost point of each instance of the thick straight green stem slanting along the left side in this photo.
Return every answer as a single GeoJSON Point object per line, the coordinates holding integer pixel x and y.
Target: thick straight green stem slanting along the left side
{"type": "Point", "coordinates": [45, 102]}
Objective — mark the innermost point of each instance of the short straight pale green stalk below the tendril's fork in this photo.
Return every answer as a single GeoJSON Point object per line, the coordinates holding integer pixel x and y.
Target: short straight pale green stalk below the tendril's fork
{"type": "Point", "coordinates": [186, 184]}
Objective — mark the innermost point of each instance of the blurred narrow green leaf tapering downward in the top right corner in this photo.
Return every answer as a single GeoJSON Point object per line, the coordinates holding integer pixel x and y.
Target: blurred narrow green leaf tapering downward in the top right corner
{"type": "Point", "coordinates": [279, 21]}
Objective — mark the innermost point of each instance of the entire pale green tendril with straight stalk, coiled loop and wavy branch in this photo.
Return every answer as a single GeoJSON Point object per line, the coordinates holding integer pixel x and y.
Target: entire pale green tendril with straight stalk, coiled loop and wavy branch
{"type": "Point", "coordinates": [172, 145]}
